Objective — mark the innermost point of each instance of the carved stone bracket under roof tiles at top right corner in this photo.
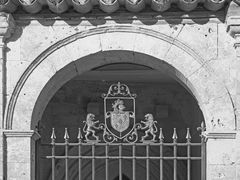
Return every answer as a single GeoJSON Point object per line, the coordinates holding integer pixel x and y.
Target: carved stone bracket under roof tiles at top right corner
{"type": "Point", "coordinates": [233, 24]}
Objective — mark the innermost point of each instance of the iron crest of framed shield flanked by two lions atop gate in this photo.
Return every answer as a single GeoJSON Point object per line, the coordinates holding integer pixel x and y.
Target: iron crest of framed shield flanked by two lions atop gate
{"type": "Point", "coordinates": [119, 119]}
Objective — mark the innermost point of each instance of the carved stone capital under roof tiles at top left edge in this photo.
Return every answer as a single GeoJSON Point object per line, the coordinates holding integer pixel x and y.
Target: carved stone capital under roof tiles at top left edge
{"type": "Point", "coordinates": [7, 25]}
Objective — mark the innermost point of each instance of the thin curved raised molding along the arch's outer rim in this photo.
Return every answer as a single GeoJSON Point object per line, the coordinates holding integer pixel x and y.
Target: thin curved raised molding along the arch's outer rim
{"type": "Point", "coordinates": [94, 31]}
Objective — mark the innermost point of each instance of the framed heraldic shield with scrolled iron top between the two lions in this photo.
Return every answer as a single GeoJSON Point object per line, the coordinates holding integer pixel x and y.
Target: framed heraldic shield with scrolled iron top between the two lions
{"type": "Point", "coordinates": [119, 111]}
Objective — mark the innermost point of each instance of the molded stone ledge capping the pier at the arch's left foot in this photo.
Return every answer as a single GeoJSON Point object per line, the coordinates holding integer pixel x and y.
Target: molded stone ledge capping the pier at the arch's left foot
{"type": "Point", "coordinates": [22, 134]}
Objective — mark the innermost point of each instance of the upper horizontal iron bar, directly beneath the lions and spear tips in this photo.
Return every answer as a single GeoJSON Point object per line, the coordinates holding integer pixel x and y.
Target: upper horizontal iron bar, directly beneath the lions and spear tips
{"type": "Point", "coordinates": [124, 144]}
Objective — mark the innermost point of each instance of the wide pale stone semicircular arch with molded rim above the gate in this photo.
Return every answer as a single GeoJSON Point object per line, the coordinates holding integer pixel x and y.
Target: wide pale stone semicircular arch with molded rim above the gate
{"type": "Point", "coordinates": [69, 56]}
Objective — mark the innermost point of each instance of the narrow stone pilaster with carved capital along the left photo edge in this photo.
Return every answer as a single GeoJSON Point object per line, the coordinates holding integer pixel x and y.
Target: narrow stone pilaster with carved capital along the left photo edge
{"type": "Point", "coordinates": [6, 29]}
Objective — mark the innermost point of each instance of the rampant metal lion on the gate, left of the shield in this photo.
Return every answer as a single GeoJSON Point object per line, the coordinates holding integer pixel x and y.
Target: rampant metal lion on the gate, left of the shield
{"type": "Point", "coordinates": [90, 126]}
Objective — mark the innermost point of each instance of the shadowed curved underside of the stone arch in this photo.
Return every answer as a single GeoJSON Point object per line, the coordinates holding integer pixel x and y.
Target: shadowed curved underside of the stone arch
{"type": "Point", "coordinates": [96, 60]}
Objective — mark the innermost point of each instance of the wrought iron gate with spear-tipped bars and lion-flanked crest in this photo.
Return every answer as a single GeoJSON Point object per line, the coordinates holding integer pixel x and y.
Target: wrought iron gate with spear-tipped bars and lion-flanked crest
{"type": "Point", "coordinates": [120, 130]}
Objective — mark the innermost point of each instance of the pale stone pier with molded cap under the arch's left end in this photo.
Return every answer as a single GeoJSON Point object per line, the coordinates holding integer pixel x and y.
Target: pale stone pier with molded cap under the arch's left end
{"type": "Point", "coordinates": [20, 156]}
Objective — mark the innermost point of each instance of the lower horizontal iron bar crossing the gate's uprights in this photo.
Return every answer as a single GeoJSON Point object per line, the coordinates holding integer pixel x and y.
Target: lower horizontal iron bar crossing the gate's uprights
{"type": "Point", "coordinates": [123, 157]}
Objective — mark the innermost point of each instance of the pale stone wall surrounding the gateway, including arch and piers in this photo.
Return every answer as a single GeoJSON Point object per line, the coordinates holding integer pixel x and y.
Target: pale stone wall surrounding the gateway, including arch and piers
{"type": "Point", "coordinates": [43, 54]}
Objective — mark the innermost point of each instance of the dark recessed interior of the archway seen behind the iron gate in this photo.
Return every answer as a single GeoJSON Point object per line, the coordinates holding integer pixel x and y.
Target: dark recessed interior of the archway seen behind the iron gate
{"type": "Point", "coordinates": [158, 92]}
